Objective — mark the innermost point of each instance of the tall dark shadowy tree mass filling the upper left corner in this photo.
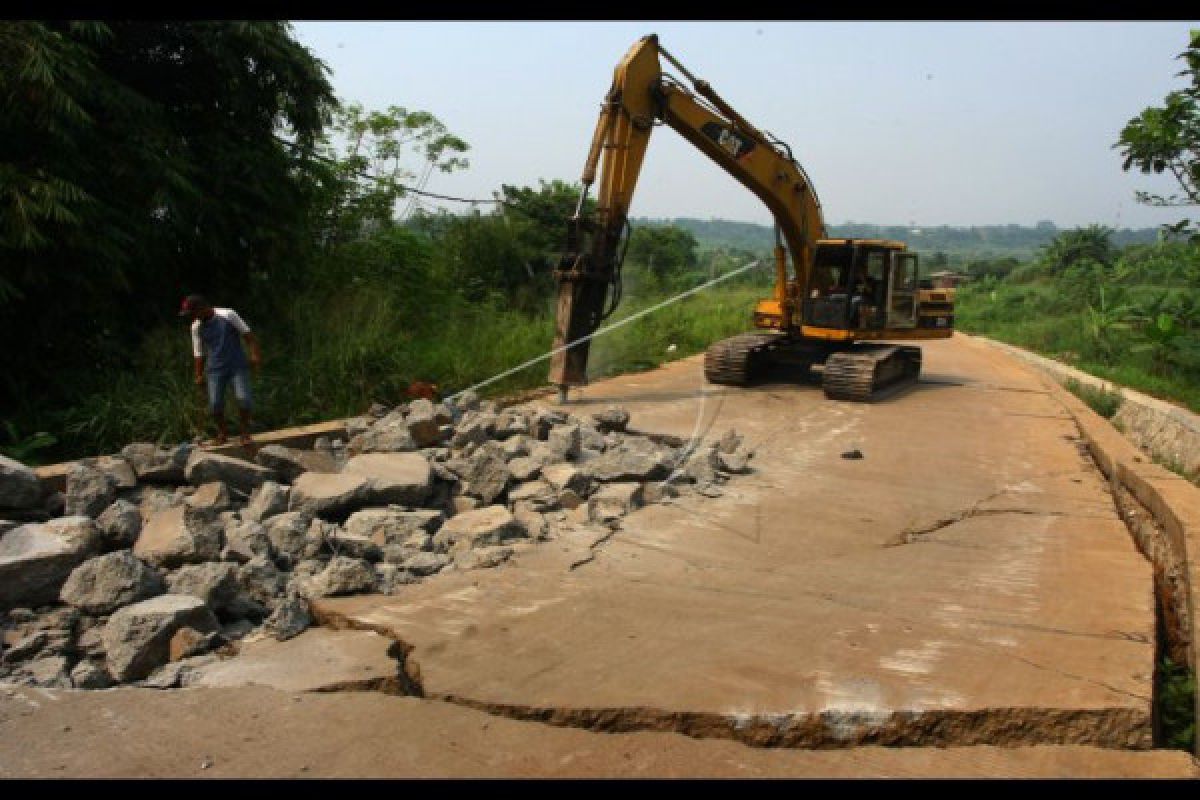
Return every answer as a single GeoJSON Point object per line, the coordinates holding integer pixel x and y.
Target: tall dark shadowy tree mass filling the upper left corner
{"type": "Point", "coordinates": [143, 160]}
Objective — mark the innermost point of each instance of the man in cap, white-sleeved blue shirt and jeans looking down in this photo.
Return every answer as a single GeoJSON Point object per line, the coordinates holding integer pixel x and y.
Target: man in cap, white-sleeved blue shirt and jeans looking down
{"type": "Point", "coordinates": [217, 336]}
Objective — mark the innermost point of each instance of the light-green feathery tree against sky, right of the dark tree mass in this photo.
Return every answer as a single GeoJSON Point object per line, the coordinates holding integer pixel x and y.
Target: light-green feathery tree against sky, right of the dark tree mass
{"type": "Point", "coordinates": [370, 159]}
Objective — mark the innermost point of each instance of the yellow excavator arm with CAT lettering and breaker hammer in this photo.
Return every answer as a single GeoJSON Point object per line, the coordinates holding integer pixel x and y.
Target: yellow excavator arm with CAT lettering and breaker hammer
{"type": "Point", "coordinates": [641, 97]}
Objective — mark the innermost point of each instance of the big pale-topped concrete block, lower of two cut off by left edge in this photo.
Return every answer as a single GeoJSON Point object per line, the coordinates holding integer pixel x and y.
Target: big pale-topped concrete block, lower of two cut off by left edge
{"type": "Point", "coordinates": [38, 558]}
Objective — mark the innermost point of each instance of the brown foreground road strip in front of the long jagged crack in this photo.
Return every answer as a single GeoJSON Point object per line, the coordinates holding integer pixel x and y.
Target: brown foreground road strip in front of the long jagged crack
{"type": "Point", "coordinates": [268, 733]}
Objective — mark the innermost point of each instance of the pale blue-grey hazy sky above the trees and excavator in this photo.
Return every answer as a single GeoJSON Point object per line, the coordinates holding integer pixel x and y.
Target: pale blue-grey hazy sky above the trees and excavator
{"type": "Point", "coordinates": [896, 123]}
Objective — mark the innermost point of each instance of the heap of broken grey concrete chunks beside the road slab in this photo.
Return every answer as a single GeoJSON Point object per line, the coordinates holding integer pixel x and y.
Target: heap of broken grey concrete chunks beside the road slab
{"type": "Point", "coordinates": [158, 562]}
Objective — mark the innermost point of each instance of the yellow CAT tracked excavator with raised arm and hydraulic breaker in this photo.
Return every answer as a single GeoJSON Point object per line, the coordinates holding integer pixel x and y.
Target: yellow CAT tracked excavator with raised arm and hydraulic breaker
{"type": "Point", "coordinates": [845, 297]}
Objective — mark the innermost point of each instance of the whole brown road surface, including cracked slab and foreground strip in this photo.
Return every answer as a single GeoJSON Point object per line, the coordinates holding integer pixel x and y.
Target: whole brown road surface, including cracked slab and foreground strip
{"type": "Point", "coordinates": [967, 591]}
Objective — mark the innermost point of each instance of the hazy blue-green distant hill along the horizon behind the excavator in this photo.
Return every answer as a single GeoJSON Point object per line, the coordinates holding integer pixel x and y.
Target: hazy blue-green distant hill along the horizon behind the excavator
{"type": "Point", "coordinates": [958, 244]}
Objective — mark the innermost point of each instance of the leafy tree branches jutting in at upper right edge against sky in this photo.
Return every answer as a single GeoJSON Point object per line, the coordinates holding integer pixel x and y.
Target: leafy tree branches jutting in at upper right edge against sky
{"type": "Point", "coordinates": [1167, 139]}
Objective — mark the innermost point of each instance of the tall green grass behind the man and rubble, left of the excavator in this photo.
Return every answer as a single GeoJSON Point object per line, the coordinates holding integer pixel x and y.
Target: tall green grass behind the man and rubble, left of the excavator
{"type": "Point", "coordinates": [332, 357]}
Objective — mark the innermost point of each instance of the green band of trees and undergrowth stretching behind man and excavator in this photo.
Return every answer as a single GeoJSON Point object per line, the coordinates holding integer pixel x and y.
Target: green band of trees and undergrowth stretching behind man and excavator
{"type": "Point", "coordinates": [149, 160]}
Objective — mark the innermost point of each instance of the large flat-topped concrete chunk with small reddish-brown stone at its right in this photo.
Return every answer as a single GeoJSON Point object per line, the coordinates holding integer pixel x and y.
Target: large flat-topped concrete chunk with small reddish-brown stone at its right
{"type": "Point", "coordinates": [137, 639]}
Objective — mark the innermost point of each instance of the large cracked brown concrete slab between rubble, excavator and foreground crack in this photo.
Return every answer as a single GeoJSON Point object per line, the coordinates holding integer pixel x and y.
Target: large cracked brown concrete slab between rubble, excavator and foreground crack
{"type": "Point", "coordinates": [968, 582]}
